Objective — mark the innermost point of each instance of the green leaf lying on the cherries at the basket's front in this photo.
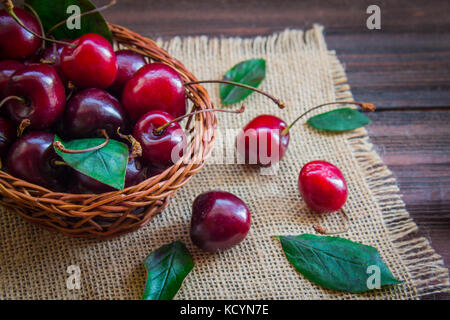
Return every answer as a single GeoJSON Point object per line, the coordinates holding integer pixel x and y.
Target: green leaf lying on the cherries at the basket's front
{"type": "Point", "coordinates": [107, 165]}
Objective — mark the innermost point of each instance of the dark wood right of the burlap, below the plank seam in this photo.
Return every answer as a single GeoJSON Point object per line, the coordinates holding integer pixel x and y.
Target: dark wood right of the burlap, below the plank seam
{"type": "Point", "coordinates": [416, 147]}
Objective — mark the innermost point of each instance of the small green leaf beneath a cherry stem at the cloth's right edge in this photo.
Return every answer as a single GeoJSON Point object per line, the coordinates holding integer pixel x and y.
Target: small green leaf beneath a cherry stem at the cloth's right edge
{"type": "Point", "coordinates": [339, 120]}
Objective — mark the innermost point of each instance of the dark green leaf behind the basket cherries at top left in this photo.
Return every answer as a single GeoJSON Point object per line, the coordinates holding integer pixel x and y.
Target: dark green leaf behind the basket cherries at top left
{"type": "Point", "coordinates": [52, 12]}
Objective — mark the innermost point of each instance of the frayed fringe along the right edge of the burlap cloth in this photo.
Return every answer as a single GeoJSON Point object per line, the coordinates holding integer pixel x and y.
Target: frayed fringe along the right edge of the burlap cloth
{"type": "Point", "coordinates": [426, 267]}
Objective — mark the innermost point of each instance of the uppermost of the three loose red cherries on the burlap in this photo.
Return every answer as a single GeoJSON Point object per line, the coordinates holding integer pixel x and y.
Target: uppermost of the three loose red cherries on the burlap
{"type": "Point", "coordinates": [264, 130]}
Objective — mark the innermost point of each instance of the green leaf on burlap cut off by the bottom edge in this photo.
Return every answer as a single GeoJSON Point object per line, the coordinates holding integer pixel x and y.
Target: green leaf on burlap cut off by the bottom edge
{"type": "Point", "coordinates": [166, 269]}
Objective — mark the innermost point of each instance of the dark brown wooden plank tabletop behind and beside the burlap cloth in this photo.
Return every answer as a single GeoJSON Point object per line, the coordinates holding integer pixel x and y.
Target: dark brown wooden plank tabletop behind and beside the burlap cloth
{"type": "Point", "coordinates": [404, 69]}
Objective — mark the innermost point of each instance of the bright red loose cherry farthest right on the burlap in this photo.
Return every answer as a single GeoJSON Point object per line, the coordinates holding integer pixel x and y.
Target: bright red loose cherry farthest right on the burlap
{"type": "Point", "coordinates": [322, 186]}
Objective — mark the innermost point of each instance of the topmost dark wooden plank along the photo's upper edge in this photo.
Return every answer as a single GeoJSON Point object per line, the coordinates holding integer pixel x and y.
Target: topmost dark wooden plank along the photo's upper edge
{"type": "Point", "coordinates": [254, 17]}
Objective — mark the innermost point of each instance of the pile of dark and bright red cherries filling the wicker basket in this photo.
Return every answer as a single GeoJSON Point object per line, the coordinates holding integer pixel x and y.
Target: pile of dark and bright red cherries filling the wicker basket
{"type": "Point", "coordinates": [74, 89]}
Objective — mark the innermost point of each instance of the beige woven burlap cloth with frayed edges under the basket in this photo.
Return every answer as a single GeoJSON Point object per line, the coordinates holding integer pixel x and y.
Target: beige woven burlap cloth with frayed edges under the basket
{"type": "Point", "coordinates": [303, 72]}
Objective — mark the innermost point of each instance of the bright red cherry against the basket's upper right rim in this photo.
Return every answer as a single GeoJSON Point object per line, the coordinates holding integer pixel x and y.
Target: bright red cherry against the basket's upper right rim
{"type": "Point", "coordinates": [155, 86]}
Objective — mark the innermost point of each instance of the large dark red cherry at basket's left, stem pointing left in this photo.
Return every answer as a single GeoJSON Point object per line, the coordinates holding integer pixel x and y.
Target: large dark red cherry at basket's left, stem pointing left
{"type": "Point", "coordinates": [43, 92]}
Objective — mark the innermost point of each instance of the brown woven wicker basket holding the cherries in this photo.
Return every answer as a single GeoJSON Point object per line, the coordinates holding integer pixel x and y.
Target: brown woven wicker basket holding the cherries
{"type": "Point", "coordinates": [110, 214]}
